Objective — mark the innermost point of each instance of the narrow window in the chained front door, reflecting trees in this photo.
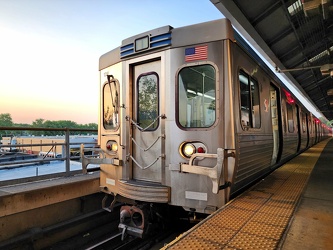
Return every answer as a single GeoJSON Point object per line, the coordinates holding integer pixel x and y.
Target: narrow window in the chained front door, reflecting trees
{"type": "Point", "coordinates": [147, 112]}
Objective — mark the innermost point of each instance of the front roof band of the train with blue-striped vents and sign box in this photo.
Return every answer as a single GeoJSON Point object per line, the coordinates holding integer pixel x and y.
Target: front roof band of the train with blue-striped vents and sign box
{"type": "Point", "coordinates": [168, 37]}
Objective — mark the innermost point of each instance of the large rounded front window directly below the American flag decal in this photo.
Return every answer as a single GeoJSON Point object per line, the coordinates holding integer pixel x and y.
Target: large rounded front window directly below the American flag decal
{"type": "Point", "coordinates": [196, 96]}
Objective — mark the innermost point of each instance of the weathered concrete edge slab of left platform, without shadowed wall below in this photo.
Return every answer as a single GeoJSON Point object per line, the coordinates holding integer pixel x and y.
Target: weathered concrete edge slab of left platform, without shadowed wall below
{"type": "Point", "coordinates": [22, 197]}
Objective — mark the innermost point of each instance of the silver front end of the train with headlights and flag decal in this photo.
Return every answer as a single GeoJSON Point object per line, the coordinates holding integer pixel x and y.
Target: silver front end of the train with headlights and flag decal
{"type": "Point", "coordinates": [162, 126]}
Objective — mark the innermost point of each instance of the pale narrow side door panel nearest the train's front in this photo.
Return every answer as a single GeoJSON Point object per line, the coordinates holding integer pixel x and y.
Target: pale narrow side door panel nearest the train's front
{"type": "Point", "coordinates": [276, 123]}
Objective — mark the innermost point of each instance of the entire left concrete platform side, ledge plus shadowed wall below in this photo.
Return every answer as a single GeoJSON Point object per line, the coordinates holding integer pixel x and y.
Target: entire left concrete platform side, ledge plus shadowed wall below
{"type": "Point", "coordinates": [37, 214]}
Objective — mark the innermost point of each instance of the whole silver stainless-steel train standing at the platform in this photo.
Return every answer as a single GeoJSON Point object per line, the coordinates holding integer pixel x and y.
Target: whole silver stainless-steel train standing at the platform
{"type": "Point", "coordinates": [188, 118]}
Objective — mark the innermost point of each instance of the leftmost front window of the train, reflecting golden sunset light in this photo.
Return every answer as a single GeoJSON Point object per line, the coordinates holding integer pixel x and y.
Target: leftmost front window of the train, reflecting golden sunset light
{"type": "Point", "coordinates": [111, 104]}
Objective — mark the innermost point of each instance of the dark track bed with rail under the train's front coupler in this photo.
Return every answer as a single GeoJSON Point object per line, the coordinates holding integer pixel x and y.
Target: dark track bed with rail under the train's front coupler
{"type": "Point", "coordinates": [106, 236]}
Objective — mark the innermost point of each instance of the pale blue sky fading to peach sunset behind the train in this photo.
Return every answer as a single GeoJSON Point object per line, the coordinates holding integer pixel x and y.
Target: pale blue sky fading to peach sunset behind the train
{"type": "Point", "coordinates": [49, 50]}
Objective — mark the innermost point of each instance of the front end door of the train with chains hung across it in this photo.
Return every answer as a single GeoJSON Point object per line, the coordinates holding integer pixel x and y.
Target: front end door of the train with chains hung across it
{"type": "Point", "coordinates": [146, 132]}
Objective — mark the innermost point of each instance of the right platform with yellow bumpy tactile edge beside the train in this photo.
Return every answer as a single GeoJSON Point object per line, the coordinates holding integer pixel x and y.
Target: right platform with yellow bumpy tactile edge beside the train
{"type": "Point", "coordinates": [292, 208]}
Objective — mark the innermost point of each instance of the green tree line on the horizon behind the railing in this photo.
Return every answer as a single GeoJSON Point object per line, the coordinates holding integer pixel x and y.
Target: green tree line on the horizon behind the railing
{"type": "Point", "coordinates": [7, 121]}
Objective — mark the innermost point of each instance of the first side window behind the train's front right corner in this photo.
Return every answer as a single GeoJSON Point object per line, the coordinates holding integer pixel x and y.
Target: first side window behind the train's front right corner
{"type": "Point", "coordinates": [249, 100]}
